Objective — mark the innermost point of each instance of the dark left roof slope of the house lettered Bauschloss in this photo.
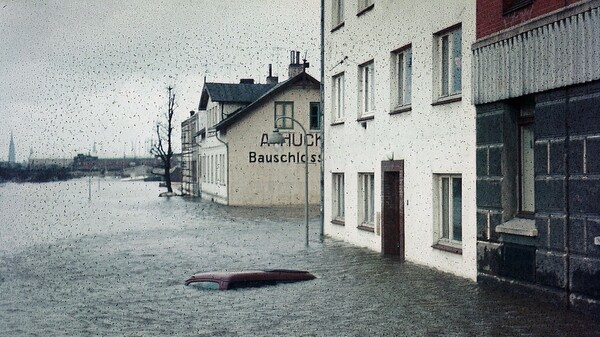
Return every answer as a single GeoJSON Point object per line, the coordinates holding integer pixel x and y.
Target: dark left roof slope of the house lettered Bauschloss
{"type": "Point", "coordinates": [243, 93]}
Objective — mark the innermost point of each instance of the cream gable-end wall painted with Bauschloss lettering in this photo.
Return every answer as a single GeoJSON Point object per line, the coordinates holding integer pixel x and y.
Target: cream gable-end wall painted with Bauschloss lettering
{"type": "Point", "coordinates": [270, 175]}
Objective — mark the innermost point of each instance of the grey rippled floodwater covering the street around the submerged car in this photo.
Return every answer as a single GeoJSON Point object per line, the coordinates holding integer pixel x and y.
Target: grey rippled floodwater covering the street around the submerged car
{"type": "Point", "coordinates": [115, 265]}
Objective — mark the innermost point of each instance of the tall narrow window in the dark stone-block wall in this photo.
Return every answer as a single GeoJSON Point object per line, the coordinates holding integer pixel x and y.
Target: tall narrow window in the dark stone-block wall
{"type": "Point", "coordinates": [526, 174]}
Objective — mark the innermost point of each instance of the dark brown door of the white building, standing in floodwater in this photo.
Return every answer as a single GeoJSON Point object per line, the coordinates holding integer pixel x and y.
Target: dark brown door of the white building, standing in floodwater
{"type": "Point", "coordinates": [392, 227]}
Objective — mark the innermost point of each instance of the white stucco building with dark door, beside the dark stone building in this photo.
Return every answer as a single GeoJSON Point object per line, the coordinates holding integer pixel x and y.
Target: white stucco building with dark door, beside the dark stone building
{"type": "Point", "coordinates": [400, 129]}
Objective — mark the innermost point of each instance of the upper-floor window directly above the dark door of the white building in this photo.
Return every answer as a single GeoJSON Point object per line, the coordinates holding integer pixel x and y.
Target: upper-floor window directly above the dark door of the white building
{"type": "Point", "coordinates": [402, 77]}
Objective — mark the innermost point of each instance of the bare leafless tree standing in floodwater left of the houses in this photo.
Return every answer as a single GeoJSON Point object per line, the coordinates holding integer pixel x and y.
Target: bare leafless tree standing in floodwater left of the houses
{"type": "Point", "coordinates": [164, 133]}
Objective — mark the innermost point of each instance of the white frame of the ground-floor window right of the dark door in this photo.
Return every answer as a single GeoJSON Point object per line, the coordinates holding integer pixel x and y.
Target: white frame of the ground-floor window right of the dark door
{"type": "Point", "coordinates": [444, 227]}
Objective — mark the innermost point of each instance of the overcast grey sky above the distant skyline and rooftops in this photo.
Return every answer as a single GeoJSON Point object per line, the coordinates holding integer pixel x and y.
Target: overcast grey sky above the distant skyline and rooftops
{"type": "Point", "coordinates": [79, 72]}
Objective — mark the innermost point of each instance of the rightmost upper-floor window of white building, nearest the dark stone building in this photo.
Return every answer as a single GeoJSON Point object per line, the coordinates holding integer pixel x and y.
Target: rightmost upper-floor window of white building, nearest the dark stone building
{"type": "Point", "coordinates": [449, 62]}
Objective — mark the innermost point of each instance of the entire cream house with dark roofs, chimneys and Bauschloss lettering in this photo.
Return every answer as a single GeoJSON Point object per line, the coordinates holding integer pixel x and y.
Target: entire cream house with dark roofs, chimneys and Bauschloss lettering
{"type": "Point", "coordinates": [235, 165]}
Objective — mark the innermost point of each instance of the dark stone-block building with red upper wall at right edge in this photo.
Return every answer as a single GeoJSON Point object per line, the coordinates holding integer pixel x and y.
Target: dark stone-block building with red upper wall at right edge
{"type": "Point", "coordinates": [536, 85]}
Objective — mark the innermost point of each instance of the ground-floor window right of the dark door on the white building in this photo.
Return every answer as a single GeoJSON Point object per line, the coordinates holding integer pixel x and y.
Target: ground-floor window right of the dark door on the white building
{"type": "Point", "coordinates": [449, 210]}
